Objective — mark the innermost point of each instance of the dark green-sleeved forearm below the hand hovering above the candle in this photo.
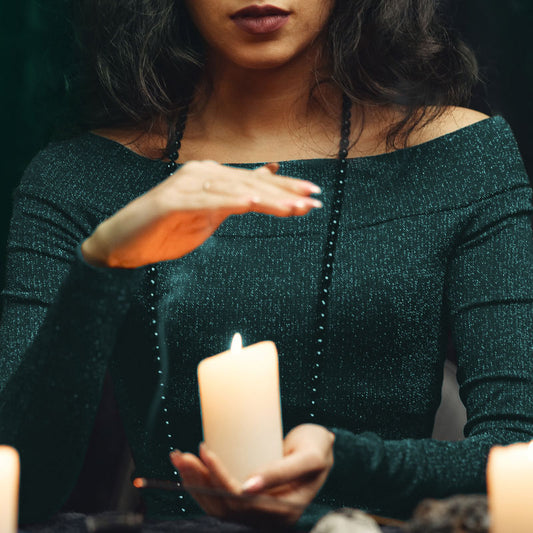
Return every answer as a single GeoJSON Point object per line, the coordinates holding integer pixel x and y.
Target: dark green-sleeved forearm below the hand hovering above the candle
{"type": "Point", "coordinates": [51, 389]}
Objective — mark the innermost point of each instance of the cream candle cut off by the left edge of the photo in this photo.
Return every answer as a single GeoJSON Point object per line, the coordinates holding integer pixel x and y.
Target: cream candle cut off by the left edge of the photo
{"type": "Point", "coordinates": [9, 489]}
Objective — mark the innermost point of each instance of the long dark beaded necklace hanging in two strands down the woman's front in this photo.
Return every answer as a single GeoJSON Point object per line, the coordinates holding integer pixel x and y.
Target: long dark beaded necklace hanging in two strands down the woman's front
{"type": "Point", "coordinates": [313, 379]}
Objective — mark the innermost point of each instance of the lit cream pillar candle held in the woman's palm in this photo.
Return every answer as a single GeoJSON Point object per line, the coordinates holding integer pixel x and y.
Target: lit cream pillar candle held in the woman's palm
{"type": "Point", "coordinates": [241, 410]}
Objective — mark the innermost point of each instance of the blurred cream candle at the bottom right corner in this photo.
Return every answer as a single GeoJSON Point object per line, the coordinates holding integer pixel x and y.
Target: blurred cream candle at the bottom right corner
{"type": "Point", "coordinates": [510, 488]}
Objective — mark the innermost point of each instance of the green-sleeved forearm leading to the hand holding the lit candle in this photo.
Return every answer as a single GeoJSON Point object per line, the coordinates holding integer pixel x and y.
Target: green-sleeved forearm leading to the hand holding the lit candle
{"type": "Point", "coordinates": [391, 477]}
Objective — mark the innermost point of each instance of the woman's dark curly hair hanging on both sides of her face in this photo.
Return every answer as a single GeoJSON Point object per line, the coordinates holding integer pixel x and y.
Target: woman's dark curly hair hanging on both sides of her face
{"type": "Point", "coordinates": [144, 59]}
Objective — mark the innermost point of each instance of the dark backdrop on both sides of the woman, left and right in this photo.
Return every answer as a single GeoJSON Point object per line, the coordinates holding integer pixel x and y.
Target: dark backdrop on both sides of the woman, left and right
{"type": "Point", "coordinates": [37, 56]}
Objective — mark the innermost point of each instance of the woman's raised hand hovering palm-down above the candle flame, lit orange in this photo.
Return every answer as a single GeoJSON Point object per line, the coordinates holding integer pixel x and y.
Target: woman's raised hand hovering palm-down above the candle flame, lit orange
{"type": "Point", "coordinates": [180, 213]}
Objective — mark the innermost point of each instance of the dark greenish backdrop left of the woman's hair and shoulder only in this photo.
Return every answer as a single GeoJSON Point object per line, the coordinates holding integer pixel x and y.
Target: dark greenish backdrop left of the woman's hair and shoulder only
{"type": "Point", "coordinates": [36, 54]}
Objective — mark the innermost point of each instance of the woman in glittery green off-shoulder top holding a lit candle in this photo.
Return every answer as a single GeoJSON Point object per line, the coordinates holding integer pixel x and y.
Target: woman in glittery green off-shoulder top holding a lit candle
{"type": "Point", "coordinates": [424, 232]}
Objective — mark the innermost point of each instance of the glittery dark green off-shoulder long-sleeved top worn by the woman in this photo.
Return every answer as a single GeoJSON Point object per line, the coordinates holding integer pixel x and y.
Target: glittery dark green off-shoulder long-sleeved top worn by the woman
{"type": "Point", "coordinates": [433, 240]}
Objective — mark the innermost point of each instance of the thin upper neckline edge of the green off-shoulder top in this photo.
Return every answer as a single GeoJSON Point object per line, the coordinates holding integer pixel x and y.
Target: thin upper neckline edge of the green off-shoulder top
{"type": "Point", "coordinates": [417, 147]}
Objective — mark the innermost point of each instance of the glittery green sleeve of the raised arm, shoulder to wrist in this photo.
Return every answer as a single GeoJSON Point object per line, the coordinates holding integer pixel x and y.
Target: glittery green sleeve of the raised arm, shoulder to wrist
{"type": "Point", "coordinates": [58, 328]}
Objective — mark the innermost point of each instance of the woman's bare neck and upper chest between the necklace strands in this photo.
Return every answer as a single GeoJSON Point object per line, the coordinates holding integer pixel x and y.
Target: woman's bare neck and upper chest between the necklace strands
{"type": "Point", "coordinates": [273, 112]}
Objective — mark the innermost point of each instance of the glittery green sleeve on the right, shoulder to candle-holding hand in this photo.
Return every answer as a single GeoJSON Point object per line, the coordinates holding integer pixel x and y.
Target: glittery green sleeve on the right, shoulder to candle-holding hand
{"type": "Point", "coordinates": [489, 306]}
